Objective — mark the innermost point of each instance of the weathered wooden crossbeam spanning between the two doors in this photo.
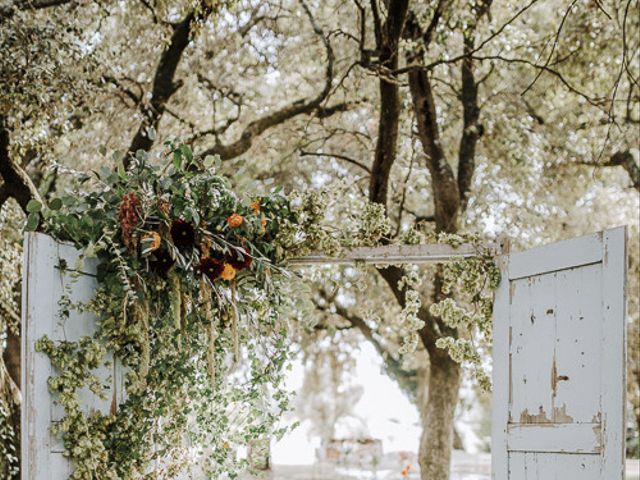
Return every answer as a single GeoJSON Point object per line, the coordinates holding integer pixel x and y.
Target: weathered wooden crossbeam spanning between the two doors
{"type": "Point", "coordinates": [397, 254]}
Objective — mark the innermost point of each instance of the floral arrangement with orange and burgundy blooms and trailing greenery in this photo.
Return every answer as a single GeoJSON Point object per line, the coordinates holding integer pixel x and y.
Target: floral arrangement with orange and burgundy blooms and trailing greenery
{"type": "Point", "coordinates": [189, 284]}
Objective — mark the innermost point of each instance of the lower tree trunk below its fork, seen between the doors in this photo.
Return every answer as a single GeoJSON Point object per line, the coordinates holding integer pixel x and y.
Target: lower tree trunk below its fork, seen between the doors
{"type": "Point", "coordinates": [438, 413]}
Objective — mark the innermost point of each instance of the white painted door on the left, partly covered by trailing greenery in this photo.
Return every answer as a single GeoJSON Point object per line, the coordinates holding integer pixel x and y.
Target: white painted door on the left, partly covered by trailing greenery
{"type": "Point", "coordinates": [44, 285]}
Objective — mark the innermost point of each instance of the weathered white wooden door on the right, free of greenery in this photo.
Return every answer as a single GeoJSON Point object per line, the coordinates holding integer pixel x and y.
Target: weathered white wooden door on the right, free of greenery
{"type": "Point", "coordinates": [559, 361]}
